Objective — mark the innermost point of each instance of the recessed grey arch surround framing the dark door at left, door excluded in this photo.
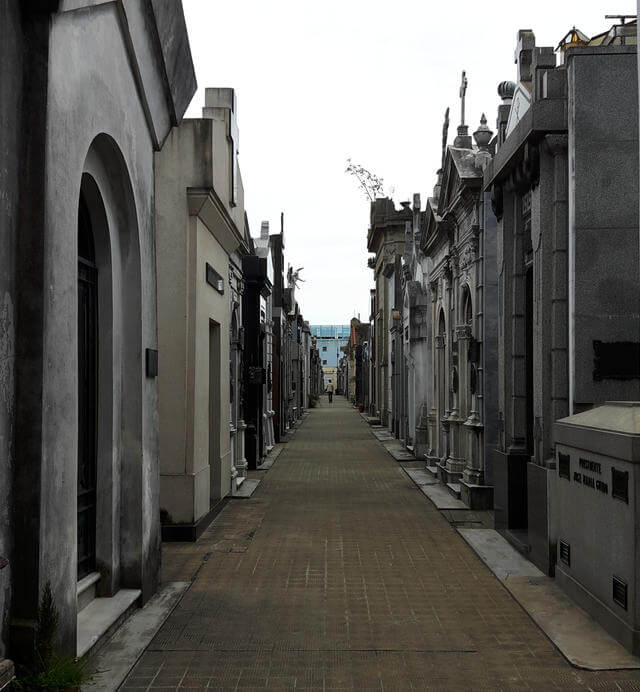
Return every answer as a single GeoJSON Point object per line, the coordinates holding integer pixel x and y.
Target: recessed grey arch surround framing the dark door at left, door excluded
{"type": "Point", "coordinates": [106, 198]}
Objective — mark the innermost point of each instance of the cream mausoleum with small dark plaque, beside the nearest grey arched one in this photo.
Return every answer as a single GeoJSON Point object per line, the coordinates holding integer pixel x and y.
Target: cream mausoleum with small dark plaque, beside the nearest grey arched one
{"type": "Point", "coordinates": [191, 232]}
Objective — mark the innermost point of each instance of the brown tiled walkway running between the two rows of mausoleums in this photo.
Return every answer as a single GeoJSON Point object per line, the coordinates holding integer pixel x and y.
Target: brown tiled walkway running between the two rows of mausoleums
{"type": "Point", "coordinates": [340, 574]}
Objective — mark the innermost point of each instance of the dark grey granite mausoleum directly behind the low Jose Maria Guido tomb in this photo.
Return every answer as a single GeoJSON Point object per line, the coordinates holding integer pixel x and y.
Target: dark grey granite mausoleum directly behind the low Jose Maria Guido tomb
{"type": "Point", "coordinates": [562, 180]}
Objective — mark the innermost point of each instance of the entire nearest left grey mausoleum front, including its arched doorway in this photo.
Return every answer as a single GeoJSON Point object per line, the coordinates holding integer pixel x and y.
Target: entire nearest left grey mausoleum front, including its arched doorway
{"type": "Point", "coordinates": [89, 93]}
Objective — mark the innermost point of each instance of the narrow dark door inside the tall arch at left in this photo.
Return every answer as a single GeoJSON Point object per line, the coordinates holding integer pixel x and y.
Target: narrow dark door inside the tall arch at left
{"type": "Point", "coordinates": [87, 391]}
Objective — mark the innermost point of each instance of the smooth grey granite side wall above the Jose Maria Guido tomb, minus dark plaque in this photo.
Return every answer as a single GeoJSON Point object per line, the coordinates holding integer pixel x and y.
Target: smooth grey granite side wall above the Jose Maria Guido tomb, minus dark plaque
{"type": "Point", "coordinates": [603, 214]}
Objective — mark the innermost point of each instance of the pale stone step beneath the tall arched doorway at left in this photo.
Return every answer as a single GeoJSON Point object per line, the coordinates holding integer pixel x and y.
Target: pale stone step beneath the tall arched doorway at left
{"type": "Point", "coordinates": [100, 618]}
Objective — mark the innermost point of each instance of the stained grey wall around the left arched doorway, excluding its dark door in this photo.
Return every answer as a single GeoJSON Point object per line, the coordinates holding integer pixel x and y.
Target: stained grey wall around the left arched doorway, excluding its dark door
{"type": "Point", "coordinates": [88, 119]}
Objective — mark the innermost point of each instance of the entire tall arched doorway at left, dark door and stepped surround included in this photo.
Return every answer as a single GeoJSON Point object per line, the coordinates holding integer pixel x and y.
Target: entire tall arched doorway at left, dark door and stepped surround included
{"type": "Point", "coordinates": [111, 459]}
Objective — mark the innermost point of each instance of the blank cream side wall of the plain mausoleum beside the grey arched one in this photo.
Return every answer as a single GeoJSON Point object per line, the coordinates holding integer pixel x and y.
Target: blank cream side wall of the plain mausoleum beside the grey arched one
{"type": "Point", "coordinates": [176, 258]}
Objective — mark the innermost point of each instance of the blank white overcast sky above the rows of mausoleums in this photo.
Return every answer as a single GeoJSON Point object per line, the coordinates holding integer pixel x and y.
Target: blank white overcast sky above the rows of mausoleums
{"type": "Point", "coordinates": [319, 82]}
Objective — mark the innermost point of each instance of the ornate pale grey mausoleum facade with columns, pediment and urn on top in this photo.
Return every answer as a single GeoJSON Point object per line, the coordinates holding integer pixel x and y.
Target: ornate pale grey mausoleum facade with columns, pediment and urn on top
{"type": "Point", "coordinates": [459, 268]}
